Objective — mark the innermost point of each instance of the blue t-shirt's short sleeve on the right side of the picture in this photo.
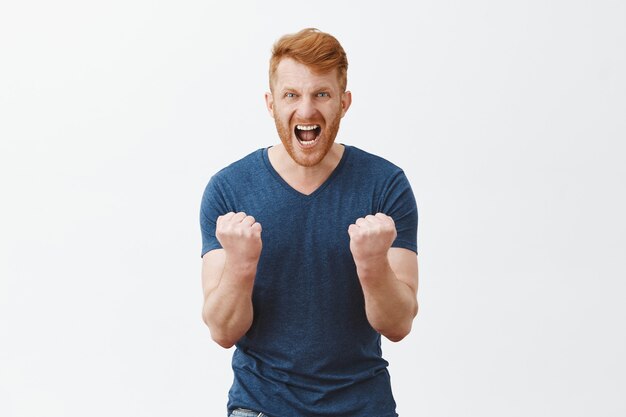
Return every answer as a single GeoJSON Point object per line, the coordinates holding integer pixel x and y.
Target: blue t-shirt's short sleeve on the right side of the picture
{"type": "Point", "coordinates": [398, 202]}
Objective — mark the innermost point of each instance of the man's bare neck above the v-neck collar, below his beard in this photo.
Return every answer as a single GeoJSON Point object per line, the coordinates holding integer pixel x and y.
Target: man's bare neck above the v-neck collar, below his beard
{"type": "Point", "coordinates": [304, 179]}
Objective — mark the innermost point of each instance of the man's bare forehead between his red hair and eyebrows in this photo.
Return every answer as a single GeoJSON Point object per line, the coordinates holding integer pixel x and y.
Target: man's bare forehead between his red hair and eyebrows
{"type": "Point", "coordinates": [291, 73]}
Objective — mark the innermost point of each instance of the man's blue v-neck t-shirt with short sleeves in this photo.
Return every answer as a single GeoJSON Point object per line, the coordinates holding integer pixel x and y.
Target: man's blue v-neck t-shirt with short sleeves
{"type": "Point", "coordinates": [310, 350]}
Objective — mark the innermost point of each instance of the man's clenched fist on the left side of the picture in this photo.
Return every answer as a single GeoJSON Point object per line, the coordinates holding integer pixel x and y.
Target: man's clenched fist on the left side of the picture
{"type": "Point", "coordinates": [240, 236]}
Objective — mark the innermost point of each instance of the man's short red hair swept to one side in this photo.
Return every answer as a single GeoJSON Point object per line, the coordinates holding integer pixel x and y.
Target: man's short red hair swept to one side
{"type": "Point", "coordinates": [318, 50]}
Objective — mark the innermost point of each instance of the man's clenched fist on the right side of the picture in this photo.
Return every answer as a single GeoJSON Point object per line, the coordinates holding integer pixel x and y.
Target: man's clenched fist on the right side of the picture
{"type": "Point", "coordinates": [371, 237]}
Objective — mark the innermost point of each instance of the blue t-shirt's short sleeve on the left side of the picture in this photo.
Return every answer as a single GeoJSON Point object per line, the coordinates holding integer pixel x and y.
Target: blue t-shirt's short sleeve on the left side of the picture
{"type": "Point", "coordinates": [213, 205]}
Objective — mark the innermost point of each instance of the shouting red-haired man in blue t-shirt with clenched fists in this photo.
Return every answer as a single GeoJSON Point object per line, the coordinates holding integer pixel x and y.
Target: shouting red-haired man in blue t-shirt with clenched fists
{"type": "Point", "coordinates": [309, 252]}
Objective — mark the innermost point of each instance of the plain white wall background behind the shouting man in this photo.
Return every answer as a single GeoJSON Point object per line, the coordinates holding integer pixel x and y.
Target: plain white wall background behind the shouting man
{"type": "Point", "coordinates": [508, 117]}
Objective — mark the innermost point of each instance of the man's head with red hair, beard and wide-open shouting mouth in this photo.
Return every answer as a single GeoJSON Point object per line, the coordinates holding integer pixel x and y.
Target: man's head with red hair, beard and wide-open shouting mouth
{"type": "Point", "coordinates": [308, 76]}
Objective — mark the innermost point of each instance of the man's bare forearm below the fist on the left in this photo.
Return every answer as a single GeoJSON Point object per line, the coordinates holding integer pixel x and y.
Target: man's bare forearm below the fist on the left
{"type": "Point", "coordinates": [227, 309]}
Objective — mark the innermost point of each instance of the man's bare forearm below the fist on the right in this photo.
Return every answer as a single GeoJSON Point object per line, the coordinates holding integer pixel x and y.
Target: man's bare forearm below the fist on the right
{"type": "Point", "coordinates": [390, 304]}
